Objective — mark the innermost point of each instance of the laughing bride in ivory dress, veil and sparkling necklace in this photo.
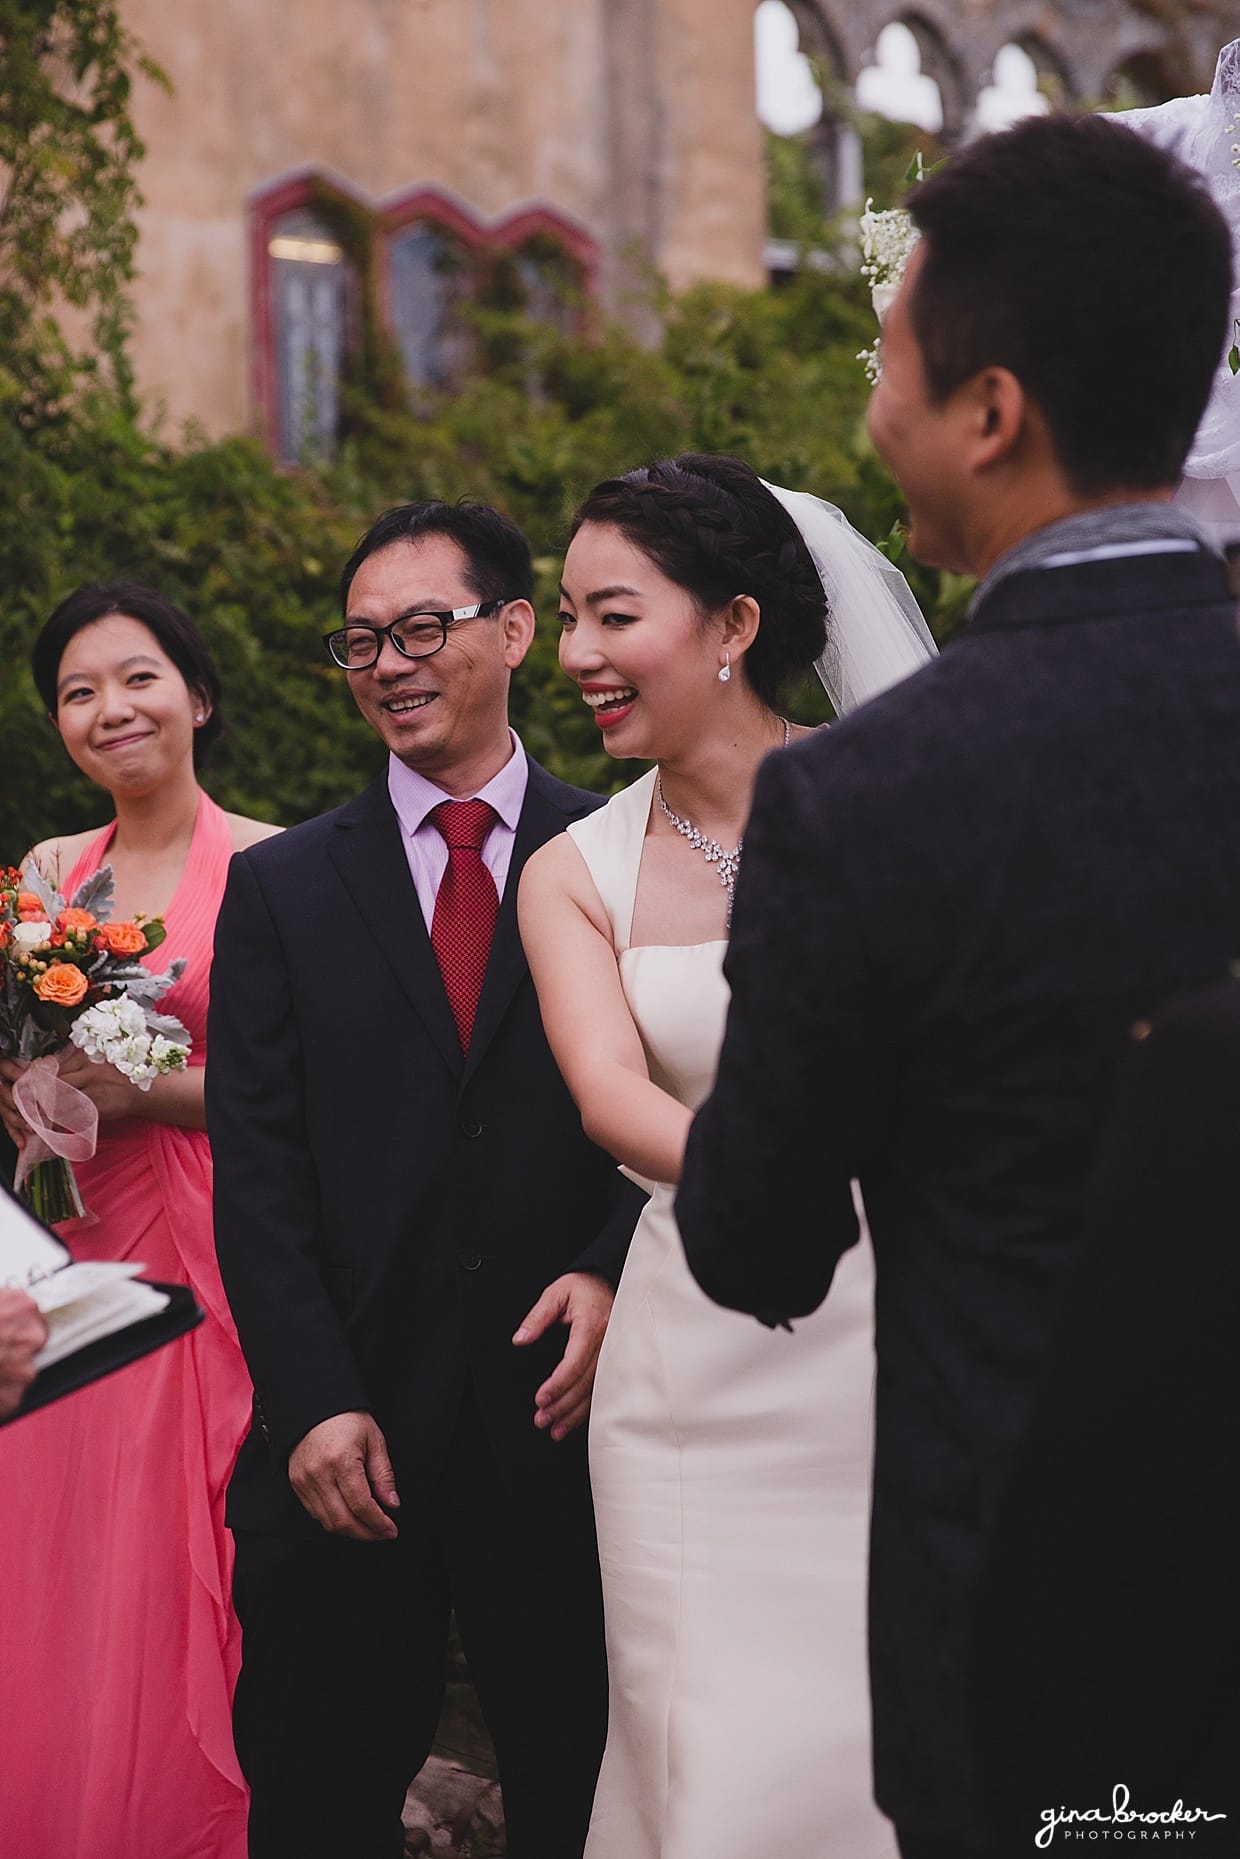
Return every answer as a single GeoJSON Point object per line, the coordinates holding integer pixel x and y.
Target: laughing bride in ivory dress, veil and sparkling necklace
{"type": "Point", "coordinates": [730, 1464]}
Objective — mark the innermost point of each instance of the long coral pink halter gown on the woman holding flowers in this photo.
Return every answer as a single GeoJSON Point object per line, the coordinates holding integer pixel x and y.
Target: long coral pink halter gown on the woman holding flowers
{"type": "Point", "coordinates": [118, 1641]}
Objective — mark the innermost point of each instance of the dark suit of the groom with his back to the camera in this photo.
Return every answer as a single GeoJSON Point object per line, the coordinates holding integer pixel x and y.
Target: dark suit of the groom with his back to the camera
{"type": "Point", "coordinates": [951, 910]}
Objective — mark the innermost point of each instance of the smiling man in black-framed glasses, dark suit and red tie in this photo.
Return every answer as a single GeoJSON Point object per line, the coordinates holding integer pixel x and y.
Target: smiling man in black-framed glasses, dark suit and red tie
{"type": "Point", "coordinates": [410, 1222]}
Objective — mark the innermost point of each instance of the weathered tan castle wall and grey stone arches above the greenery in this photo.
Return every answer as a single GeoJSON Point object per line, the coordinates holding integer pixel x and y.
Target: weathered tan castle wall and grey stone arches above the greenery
{"type": "Point", "coordinates": [631, 120]}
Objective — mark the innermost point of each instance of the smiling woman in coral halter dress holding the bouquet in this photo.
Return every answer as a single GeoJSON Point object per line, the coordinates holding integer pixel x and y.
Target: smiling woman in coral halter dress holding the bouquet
{"type": "Point", "coordinates": [118, 1639]}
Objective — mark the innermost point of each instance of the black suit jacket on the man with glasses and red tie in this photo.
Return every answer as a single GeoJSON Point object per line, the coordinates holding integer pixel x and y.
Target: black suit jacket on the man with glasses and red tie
{"type": "Point", "coordinates": [386, 1209]}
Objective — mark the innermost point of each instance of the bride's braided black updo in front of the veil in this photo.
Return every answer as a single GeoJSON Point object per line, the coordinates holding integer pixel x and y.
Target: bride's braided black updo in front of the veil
{"type": "Point", "coordinates": [711, 527]}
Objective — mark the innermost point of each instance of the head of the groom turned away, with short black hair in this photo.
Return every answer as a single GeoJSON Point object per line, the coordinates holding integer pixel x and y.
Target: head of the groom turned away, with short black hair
{"type": "Point", "coordinates": [1055, 339]}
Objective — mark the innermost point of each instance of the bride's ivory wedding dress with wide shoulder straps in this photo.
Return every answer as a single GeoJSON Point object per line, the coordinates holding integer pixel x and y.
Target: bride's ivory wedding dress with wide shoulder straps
{"type": "Point", "coordinates": [732, 1477]}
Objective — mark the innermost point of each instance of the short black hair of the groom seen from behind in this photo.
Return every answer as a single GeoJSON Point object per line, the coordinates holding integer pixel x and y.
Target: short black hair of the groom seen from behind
{"type": "Point", "coordinates": [1094, 267]}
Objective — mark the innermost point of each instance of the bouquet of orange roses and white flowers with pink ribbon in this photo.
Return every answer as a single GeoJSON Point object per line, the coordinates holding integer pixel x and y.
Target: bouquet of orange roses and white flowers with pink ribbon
{"type": "Point", "coordinates": [73, 977]}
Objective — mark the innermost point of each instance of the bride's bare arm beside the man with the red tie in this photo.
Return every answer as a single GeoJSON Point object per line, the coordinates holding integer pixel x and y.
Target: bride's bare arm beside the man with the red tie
{"type": "Point", "coordinates": [588, 1023]}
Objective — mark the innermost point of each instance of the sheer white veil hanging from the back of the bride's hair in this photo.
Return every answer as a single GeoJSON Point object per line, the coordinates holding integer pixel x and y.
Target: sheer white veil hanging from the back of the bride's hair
{"type": "Point", "coordinates": [877, 633]}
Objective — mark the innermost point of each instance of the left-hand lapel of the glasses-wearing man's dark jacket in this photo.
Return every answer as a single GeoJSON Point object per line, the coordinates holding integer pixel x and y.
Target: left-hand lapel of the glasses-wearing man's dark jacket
{"type": "Point", "coordinates": [369, 856]}
